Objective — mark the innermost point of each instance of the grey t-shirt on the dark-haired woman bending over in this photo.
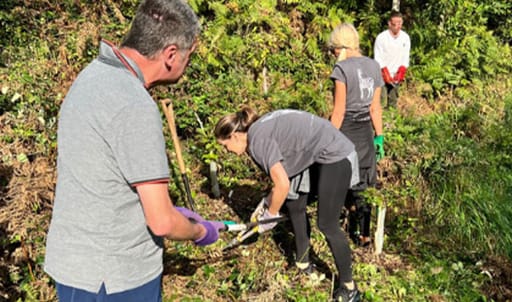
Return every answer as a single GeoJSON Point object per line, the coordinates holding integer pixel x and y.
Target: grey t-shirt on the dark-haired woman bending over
{"type": "Point", "coordinates": [297, 139]}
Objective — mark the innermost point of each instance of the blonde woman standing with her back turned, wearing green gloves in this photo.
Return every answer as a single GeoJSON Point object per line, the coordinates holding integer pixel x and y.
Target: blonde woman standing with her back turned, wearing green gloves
{"type": "Point", "coordinates": [357, 113]}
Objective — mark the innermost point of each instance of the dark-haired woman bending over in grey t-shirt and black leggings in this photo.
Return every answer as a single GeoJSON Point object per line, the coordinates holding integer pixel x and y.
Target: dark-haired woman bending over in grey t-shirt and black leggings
{"type": "Point", "coordinates": [284, 143]}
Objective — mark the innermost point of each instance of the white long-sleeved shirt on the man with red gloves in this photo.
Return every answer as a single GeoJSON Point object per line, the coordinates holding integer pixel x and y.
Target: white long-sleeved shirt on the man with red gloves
{"type": "Point", "coordinates": [392, 52]}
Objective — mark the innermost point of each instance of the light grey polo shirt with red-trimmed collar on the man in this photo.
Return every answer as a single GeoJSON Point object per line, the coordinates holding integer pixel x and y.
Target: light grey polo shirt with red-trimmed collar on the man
{"type": "Point", "coordinates": [109, 138]}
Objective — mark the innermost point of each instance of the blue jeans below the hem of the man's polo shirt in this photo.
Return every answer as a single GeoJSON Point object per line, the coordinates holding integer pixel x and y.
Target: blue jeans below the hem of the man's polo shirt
{"type": "Point", "coordinates": [149, 292]}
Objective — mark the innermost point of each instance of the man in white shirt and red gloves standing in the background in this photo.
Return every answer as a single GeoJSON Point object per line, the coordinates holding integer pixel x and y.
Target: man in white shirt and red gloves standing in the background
{"type": "Point", "coordinates": [391, 51]}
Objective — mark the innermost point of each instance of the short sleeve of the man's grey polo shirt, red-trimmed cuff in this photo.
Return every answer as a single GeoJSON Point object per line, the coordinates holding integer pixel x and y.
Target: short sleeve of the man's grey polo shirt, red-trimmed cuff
{"type": "Point", "coordinates": [138, 144]}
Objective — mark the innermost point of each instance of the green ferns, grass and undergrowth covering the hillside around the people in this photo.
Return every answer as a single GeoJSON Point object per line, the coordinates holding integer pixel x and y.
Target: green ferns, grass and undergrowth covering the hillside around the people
{"type": "Point", "coordinates": [446, 179]}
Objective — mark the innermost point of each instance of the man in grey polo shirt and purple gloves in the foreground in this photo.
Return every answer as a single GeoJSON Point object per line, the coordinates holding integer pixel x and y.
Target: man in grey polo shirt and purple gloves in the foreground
{"type": "Point", "coordinates": [112, 207]}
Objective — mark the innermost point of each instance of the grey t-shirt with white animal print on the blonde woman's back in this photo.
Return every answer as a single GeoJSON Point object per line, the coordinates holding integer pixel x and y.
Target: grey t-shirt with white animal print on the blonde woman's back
{"type": "Point", "coordinates": [361, 75]}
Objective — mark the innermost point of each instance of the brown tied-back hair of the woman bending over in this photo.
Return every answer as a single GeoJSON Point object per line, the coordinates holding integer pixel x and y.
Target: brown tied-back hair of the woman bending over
{"type": "Point", "coordinates": [235, 122]}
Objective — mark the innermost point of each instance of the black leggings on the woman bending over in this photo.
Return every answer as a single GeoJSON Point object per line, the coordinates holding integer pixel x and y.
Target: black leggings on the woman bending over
{"type": "Point", "coordinates": [333, 183]}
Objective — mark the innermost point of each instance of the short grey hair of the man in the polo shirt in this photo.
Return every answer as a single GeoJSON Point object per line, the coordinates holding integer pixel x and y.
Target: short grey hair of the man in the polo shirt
{"type": "Point", "coordinates": [160, 23]}
